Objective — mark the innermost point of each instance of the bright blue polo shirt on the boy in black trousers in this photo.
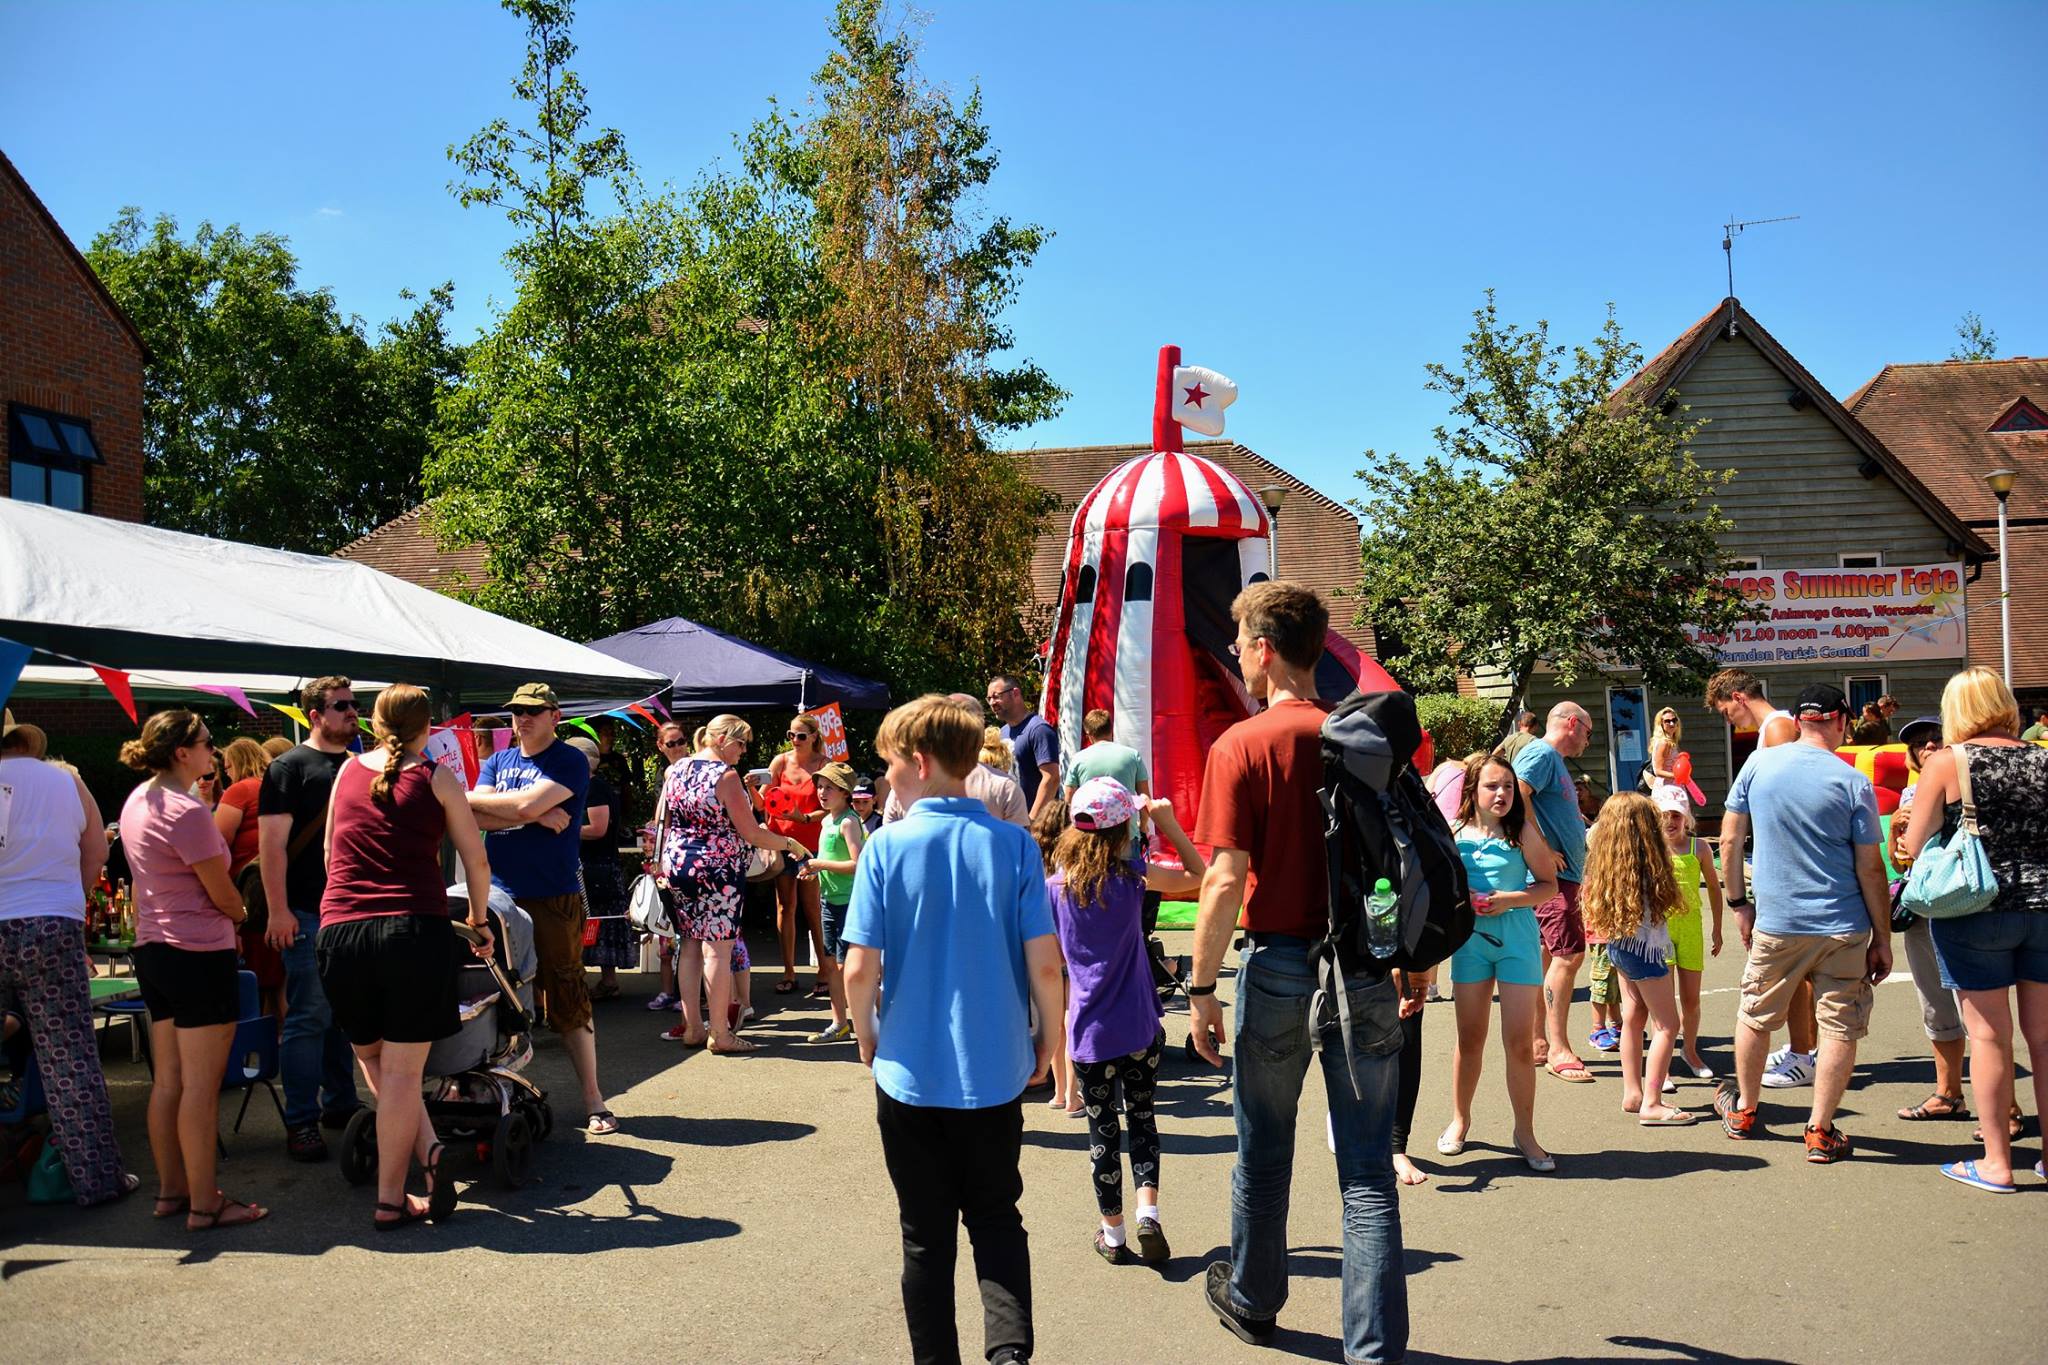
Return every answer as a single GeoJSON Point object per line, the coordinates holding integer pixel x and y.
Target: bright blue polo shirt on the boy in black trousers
{"type": "Point", "coordinates": [951, 895]}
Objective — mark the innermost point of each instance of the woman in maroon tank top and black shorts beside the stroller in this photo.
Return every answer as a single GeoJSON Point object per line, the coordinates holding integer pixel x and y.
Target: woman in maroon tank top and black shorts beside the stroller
{"type": "Point", "coordinates": [386, 940]}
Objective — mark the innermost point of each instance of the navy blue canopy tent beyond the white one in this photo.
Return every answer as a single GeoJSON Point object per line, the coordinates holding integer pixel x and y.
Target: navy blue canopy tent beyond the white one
{"type": "Point", "coordinates": [712, 670]}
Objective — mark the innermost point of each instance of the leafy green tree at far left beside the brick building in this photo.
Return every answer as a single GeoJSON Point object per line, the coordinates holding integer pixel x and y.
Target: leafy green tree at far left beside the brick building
{"type": "Point", "coordinates": [267, 414]}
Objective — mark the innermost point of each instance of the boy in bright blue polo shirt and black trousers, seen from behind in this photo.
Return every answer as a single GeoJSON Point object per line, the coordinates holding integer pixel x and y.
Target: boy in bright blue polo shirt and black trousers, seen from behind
{"type": "Point", "coordinates": [951, 930]}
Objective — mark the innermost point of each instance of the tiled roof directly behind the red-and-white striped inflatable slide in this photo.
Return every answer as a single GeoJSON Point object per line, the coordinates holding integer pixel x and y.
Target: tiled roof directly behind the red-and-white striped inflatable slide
{"type": "Point", "coordinates": [1318, 535]}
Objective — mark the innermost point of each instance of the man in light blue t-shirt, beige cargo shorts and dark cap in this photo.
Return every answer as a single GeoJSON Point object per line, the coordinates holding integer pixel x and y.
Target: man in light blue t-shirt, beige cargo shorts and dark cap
{"type": "Point", "coordinates": [1822, 914]}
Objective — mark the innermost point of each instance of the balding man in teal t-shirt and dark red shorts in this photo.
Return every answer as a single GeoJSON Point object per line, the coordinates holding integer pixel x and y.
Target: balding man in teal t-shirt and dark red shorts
{"type": "Point", "coordinates": [1553, 799]}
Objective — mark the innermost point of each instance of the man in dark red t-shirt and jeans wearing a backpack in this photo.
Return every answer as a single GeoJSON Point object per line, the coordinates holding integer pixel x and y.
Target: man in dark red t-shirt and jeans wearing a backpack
{"type": "Point", "coordinates": [1263, 816]}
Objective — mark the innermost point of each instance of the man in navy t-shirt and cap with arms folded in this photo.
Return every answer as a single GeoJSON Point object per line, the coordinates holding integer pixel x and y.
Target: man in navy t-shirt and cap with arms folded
{"type": "Point", "coordinates": [529, 801]}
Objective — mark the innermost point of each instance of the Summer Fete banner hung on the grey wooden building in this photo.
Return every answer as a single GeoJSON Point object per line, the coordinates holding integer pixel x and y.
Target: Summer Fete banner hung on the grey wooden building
{"type": "Point", "coordinates": [1846, 615]}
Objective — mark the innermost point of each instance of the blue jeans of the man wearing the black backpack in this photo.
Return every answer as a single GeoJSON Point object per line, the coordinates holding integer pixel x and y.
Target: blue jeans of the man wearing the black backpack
{"type": "Point", "coordinates": [1275, 985]}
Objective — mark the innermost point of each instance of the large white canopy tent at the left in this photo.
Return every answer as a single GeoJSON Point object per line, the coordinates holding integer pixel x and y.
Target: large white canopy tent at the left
{"type": "Point", "coordinates": [81, 588]}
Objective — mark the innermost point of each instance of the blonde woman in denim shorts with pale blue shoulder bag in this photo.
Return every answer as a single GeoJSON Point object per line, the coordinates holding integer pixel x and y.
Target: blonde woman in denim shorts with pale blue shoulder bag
{"type": "Point", "coordinates": [2002, 951]}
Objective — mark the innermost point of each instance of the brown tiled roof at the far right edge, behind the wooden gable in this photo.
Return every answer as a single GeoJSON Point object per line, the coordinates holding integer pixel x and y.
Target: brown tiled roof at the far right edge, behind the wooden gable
{"type": "Point", "coordinates": [1938, 421]}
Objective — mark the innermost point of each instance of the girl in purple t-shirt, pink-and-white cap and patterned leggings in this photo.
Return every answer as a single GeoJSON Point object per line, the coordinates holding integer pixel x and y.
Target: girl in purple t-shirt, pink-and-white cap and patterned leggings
{"type": "Point", "coordinates": [1113, 1016]}
